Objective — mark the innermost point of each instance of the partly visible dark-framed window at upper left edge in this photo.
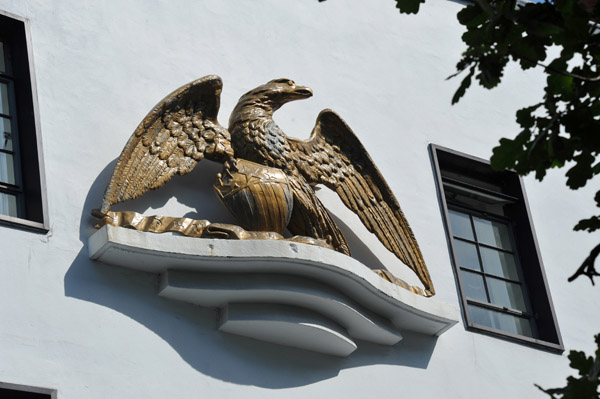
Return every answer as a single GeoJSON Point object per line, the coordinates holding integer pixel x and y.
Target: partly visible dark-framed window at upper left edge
{"type": "Point", "coordinates": [22, 199]}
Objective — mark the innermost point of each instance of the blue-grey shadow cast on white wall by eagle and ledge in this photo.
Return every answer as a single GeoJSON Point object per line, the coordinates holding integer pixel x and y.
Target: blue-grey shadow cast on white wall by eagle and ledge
{"type": "Point", "coordinates": [191, 330]}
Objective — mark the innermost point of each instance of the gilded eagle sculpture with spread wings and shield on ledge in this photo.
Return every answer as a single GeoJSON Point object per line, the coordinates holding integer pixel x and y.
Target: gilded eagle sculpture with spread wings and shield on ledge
{"type": "Point", "coordinates": [268, 178]}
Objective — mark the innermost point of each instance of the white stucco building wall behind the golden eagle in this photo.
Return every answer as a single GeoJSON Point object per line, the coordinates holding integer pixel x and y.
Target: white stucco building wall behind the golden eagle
{"type": "Point", "coordinates": [93, 331]}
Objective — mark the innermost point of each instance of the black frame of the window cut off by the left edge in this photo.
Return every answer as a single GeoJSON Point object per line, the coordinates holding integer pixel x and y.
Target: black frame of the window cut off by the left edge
{"type": "Point", "coordinates": [30, 187]}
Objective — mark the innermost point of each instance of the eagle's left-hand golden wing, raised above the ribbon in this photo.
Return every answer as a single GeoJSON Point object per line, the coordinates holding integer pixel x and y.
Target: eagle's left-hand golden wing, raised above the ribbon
{"type": "Point", "coordinates": [179, 132]}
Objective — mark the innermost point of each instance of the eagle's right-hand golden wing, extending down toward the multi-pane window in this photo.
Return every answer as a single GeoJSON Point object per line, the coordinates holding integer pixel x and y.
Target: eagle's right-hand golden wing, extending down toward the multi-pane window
{"type": "Point", "coordinates": [334, 156]}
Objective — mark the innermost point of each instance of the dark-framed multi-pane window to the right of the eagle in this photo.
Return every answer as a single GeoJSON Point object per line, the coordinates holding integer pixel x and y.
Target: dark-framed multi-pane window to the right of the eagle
{"type": "Point", "coordinates": [494, 251]}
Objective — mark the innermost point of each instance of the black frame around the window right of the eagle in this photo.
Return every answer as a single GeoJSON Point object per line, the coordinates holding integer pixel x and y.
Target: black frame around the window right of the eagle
{"type": "Point", "coordinates": [477, 173]}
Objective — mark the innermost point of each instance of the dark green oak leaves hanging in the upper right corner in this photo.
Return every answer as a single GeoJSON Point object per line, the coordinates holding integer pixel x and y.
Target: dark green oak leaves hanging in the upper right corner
{"type": "Point", "coordinates": [563, 129]}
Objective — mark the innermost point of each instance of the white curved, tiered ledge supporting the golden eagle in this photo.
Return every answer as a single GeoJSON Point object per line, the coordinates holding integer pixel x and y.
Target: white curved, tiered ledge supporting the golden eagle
{"type": "Point", "coordinates": [356, 302]}
